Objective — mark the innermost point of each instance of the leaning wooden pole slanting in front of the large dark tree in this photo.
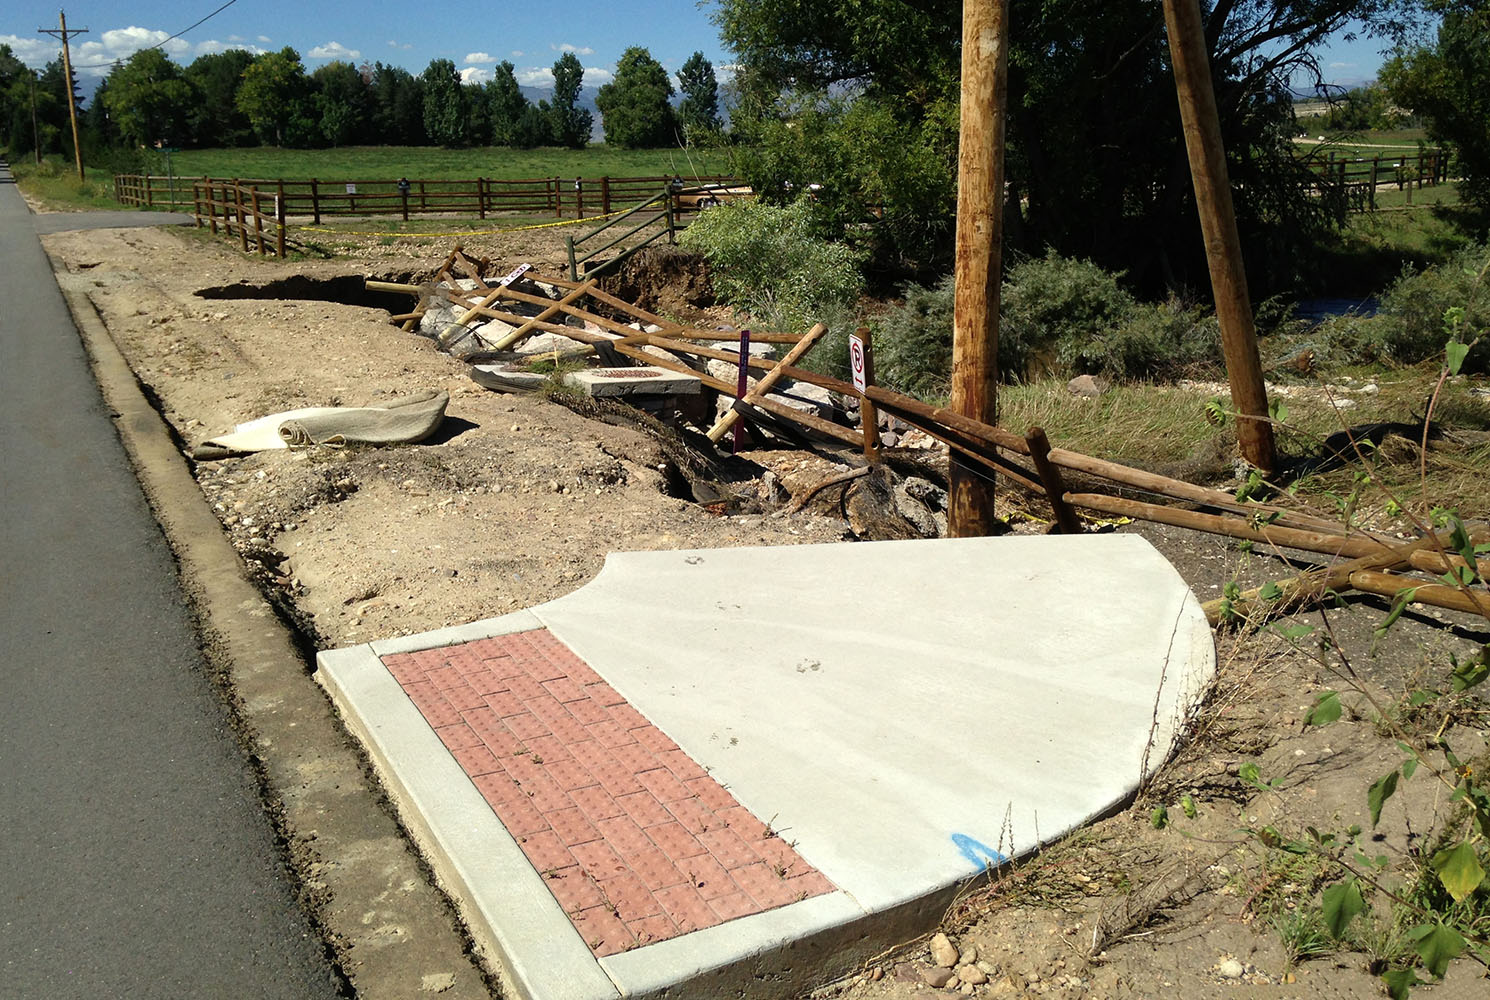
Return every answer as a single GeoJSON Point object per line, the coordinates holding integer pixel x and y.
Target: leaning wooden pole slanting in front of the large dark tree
{"type": "Point", "coordinates": [1239, 338]}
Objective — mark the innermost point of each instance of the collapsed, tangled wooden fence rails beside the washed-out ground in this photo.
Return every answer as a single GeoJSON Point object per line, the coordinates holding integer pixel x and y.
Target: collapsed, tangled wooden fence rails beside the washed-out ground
{"type": "Point", "coordinates": [1027, 461]}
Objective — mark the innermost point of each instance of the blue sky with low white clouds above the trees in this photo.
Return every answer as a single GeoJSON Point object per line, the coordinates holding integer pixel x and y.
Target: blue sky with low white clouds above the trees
{"type": "Point", "coordinates": [476, 38]}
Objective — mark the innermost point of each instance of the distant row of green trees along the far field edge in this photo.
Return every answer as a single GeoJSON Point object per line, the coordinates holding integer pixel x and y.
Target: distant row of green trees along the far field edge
{"type": "Point", "coordinates": [239, 99]}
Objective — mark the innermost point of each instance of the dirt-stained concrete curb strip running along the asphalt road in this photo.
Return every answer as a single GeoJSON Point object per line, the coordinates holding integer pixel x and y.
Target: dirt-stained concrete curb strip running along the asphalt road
{"type": "Point", "coordinates": [393, 932]}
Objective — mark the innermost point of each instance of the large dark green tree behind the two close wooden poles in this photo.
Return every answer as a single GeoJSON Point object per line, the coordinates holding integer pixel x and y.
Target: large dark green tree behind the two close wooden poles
{"type": "Point", "coordinates": [1096, 156]}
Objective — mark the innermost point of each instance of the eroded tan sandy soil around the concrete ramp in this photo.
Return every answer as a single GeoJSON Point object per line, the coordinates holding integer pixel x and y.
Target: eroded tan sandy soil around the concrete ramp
{"type": "Point", "coordinates": [519, 500]}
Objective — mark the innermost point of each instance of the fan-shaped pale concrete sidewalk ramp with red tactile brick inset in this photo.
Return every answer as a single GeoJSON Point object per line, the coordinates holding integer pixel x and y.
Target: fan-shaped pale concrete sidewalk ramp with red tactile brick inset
{"type": "Point", "coordinates": [750, 770]}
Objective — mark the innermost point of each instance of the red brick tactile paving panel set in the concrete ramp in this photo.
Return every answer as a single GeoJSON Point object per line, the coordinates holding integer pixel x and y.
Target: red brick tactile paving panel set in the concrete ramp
{"type": "Point", "coordinates": [635, 841]}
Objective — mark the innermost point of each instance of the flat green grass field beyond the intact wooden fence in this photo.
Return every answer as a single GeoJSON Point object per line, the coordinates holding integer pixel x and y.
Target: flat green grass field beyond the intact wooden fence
{"type": "Point", "coordinates": [433, 163]}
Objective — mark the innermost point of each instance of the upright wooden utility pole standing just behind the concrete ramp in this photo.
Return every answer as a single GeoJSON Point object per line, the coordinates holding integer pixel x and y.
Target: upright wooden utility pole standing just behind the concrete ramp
{"type": "Point", "coordinates": [980, 251]}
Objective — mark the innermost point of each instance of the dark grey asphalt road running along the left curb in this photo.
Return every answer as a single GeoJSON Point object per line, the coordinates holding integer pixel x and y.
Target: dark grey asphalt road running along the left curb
{"type": "Point", "coordinates": [136, 859]}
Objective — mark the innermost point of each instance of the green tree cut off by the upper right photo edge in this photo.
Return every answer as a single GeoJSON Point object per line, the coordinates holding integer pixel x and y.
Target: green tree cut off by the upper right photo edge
{"type": "Point", "coordinates": [1449, 86]}
